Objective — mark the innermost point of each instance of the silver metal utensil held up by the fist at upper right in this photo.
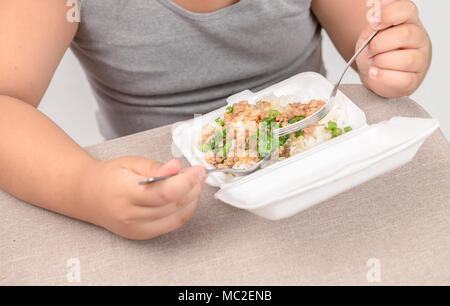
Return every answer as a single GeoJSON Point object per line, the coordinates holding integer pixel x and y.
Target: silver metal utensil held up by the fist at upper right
{"type": "Point", "coordinates": [323, 112]}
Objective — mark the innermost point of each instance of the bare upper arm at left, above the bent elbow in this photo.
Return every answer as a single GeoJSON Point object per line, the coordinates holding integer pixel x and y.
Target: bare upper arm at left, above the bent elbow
{"type": "Point", "coordinates": [34, 37]}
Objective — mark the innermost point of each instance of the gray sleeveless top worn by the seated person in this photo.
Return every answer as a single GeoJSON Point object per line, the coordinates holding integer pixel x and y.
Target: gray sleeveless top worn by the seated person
{"type": "Point", "coordinates": [151, 62]}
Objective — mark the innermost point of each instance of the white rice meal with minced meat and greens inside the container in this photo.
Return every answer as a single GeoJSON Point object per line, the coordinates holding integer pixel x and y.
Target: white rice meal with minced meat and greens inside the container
{"type": "Point", "coordinates": [222, 140]}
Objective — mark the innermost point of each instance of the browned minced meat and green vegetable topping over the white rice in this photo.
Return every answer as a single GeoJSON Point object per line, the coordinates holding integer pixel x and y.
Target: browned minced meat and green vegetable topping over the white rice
{"type": "Point", "coordinates": [258, 121]}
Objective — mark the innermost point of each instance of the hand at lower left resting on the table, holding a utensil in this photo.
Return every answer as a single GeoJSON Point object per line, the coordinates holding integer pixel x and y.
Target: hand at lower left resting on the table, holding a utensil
{"type": "Point", "coordinates": [111, 197]}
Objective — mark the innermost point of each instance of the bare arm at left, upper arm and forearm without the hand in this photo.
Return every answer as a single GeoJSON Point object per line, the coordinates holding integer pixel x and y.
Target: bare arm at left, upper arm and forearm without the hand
{"type": "Point", "coordinates": [36, 157]}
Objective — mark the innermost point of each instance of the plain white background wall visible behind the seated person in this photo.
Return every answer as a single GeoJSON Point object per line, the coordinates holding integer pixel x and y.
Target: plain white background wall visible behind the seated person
{"type": "Point", "coordinates": [70, 104]}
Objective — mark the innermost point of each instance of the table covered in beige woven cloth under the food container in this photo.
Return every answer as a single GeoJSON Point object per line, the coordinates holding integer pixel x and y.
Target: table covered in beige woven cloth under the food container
{"type": "Point", "coordinates": [398, 224]}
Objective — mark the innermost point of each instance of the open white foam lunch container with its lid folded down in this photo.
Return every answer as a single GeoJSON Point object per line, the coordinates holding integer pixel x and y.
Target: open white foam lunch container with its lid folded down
{"type": "Point", "coordinates": [291, 185]}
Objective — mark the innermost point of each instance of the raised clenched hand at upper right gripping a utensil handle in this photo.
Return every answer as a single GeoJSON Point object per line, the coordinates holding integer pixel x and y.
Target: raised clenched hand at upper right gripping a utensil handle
{"type": "Point", "coordinates": [397, 59]}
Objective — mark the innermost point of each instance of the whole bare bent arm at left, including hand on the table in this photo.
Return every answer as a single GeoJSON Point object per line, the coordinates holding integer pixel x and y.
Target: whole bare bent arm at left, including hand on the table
{"type": "Point", "coordinates": [40, 164]}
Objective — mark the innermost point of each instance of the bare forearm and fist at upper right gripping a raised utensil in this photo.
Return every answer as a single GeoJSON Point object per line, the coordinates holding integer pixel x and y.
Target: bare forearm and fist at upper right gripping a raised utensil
{"type": "Point", "coordinates": [397, 59]}
